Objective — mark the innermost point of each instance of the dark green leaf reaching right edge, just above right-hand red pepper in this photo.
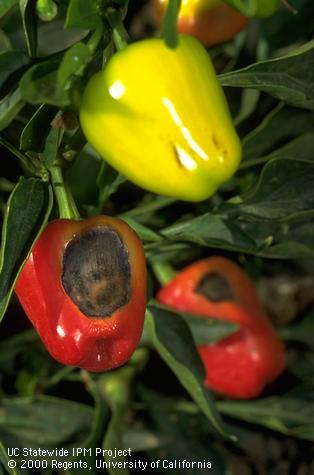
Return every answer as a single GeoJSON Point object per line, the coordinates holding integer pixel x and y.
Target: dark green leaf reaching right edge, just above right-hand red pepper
{"type": "Point", "coordinates": [265, 238]}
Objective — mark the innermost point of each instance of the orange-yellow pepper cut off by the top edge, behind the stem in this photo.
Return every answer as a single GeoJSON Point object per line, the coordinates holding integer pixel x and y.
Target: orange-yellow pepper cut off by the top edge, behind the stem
{"type": "Point", "coordinates": [210, 21]}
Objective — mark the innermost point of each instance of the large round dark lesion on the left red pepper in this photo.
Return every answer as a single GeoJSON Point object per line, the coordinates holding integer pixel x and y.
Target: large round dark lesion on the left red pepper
{"type": "Point", "coordinates": [96, 272]}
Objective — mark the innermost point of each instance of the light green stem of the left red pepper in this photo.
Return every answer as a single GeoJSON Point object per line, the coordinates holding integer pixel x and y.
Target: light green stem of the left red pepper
{"type": "Point", "coordinates": [66, 204]}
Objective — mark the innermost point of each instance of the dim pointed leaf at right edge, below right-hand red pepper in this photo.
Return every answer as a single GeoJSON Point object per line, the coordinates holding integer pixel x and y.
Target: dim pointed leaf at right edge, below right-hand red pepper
{"type": "Point", "coordinates": [291, 414]}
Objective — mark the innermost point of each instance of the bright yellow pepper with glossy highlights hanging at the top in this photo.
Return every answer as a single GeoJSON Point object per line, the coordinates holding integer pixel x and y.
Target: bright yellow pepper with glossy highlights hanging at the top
{"type": "Point", "coordinates": [159, 116]}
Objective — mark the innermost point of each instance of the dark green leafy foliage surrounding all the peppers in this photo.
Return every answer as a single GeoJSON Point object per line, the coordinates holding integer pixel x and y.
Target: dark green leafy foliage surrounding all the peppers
{"type": "Point", "coordinates": [263, 217]}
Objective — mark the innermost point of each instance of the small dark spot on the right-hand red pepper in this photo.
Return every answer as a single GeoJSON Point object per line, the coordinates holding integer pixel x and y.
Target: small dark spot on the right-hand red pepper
{"type": "Point", "coordinates": [215, 287]}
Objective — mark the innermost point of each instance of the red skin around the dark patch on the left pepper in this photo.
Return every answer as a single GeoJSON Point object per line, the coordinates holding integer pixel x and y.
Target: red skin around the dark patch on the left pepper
{"type": "Point", "coordinates": [93, 342]}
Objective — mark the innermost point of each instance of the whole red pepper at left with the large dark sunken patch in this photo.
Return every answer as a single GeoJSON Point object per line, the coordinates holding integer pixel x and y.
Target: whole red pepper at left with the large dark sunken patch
{"type": "Point", "coordinates": [84, 289]}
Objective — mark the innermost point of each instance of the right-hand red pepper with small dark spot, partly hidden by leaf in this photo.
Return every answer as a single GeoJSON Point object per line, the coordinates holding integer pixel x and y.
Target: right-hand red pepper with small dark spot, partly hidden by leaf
{"type": "Point", "coordinates": [241, 364]}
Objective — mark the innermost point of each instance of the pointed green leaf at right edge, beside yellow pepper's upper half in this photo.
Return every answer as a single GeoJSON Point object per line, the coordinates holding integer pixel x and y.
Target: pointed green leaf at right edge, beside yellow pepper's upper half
{"type": "Point", "coordinates": [289, 78]}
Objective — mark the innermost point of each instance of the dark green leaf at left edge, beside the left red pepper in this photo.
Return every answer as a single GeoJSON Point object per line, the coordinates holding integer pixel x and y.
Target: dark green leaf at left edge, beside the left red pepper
{"type": "Point", "coordinates": [26, 214]}
